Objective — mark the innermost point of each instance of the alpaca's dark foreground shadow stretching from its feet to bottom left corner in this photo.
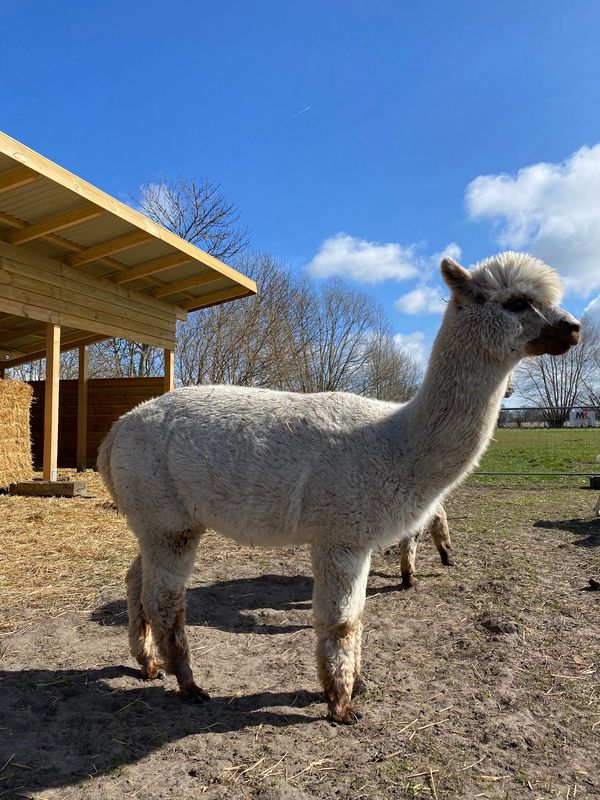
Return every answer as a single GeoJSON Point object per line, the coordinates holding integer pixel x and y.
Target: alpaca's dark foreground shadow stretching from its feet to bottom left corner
{"type": "Point", "coordinates": [68, 725]}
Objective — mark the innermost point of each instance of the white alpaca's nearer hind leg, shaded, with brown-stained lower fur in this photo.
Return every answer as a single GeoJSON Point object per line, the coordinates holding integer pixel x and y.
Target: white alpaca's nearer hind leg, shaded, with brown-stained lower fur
{"type": "Point", "coordinates": [167, 563]}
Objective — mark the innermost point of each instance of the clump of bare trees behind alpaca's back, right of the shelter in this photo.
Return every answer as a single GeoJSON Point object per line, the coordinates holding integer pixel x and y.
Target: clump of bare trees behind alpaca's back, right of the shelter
{"type": "Point", "coordinates": [297, 336]}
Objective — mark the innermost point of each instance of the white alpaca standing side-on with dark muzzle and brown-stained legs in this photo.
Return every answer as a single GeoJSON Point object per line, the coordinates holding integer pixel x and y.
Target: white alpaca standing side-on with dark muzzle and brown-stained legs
{"type": "Point", "coordinates": [341, 473]}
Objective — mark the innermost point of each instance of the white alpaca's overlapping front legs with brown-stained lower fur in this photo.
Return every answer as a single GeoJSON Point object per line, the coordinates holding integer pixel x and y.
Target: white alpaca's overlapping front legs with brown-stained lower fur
{"type": "Point", "coordinates": [338, 602]}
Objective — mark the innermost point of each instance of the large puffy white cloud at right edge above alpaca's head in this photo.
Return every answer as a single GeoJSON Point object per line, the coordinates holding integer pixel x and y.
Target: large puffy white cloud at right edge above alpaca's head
{"type": "Point", "coordinates": [552, 210]}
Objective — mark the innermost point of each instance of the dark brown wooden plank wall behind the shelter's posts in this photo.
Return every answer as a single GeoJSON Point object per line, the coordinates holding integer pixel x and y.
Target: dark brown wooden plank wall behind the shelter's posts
{"type": "Point", "coordinates": [108, 399]}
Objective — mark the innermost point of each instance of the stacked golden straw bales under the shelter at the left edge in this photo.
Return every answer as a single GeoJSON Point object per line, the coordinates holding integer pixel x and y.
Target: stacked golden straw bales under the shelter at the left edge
{"type": "Point", "coordinates": [15, 434]}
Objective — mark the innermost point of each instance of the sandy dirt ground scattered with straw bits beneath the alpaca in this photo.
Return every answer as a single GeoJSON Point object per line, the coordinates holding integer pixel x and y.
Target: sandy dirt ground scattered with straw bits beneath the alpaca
{"type": "Point", "coordinates": [484, 679]}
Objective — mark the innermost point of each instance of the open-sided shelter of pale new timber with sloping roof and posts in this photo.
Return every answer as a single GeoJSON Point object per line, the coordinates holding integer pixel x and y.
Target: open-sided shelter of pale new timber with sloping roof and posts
{"type": "Point", "coordinates": [78, 266]}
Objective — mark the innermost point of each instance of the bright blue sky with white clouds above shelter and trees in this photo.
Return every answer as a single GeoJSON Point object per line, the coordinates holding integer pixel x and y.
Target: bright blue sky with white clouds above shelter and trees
{"type": "Point", "coordinates": [357, 138]}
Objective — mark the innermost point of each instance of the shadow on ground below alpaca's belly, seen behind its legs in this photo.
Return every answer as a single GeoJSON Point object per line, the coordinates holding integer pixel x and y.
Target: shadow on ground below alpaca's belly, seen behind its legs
{"type": "Point", "coordinates": [228, 605]}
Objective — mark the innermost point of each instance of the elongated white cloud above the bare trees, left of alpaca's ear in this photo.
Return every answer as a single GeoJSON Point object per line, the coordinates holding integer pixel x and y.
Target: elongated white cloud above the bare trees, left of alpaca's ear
{"type": "Point", "coordinates": [367, 262]}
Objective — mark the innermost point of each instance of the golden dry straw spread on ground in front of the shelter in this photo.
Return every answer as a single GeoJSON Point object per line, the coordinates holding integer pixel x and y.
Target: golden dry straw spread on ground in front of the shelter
{"type": "Point", "coordinates": [60, 554]}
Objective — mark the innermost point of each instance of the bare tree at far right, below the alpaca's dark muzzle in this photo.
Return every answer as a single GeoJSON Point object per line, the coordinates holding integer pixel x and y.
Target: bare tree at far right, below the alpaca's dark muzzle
{"type": "Point", "coordinates": [557, 384]}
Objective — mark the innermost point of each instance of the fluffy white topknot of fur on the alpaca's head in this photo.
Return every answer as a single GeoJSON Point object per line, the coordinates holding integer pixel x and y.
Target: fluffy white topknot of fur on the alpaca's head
{"type": "Point", "coordinates": [511, 273]}
